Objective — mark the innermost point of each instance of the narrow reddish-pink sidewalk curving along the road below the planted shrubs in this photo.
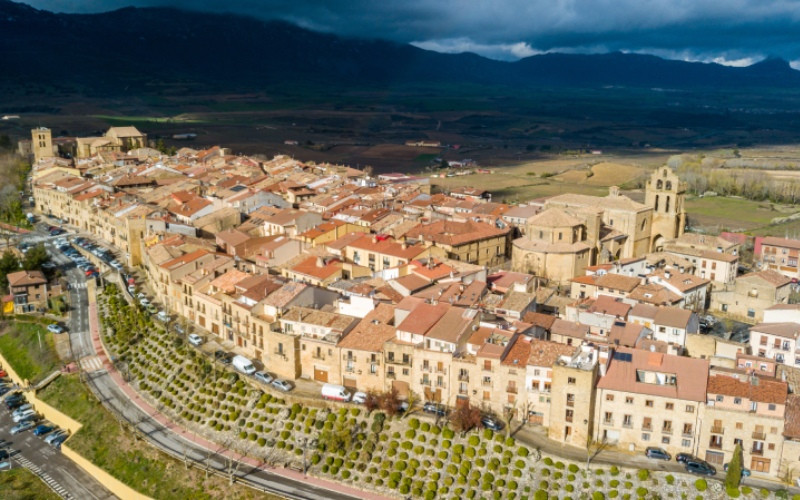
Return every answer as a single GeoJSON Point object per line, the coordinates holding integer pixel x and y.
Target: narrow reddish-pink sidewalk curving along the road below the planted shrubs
{"type": "Point", "coordinates": [208, 445]}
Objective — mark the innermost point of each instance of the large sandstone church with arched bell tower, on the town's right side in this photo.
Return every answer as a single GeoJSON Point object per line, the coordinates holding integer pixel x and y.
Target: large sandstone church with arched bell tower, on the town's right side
{"type": "Point", "coordinates": [575, 231]}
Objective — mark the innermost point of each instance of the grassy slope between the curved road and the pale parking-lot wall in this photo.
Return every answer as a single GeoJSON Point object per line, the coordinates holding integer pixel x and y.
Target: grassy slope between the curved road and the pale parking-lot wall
{"type": "Point", "coordinates": [132, 461]}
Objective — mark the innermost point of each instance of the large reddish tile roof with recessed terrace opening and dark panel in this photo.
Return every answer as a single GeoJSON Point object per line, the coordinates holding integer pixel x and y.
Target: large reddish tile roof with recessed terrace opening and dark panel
{"type": "Point", "coordinates": [691, 374]}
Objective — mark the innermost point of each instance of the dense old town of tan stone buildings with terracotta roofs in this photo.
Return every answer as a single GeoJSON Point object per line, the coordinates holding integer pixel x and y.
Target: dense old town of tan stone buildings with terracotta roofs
{"type": "Point", "coordinates": [598, 318]}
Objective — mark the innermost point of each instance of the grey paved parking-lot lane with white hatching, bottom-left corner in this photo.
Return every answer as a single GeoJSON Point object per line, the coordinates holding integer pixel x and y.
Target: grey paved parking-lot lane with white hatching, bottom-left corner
{"type": "Point", "coordinates": [57, 471]}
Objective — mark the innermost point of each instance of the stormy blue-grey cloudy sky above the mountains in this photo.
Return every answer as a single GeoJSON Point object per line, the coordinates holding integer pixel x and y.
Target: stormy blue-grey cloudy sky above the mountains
{"type": "Point", "coordinates": [732, 32]}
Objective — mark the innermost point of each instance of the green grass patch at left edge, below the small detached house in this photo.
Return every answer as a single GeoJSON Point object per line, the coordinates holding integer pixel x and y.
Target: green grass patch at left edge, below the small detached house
{"type": "Point", "coordinates": [32, 360]}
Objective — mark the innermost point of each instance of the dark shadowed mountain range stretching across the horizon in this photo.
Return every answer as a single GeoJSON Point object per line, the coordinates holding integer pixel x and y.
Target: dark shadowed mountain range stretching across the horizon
{"type": "Point", "coordinates": [139, 46]}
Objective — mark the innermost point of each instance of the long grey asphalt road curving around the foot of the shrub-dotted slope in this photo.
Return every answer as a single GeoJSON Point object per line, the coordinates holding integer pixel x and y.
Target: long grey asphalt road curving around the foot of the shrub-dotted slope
{"type": "Point", "coordinates": [109, 392]}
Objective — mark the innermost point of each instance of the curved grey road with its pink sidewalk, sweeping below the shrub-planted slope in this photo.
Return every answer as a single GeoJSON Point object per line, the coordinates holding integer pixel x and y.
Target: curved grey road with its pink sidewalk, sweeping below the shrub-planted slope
{"type": "Point", "coordinates": [116, 395]}
